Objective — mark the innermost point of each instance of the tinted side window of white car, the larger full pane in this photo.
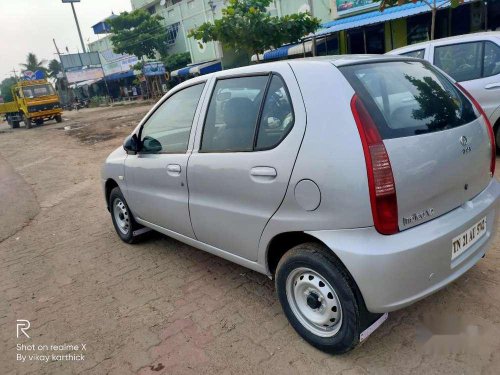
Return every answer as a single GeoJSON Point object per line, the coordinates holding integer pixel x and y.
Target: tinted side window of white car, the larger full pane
{"type": "Point", "coordinates": [461, 61]}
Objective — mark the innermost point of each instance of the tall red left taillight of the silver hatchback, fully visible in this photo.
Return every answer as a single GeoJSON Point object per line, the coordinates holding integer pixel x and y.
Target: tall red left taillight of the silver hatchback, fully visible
{"type": "Point", "coordinates": [378, 166]}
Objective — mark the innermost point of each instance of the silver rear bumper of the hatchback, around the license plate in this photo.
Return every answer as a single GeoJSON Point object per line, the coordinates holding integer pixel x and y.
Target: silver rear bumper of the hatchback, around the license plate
{"type": "Point", "coordinates": [395, 271]}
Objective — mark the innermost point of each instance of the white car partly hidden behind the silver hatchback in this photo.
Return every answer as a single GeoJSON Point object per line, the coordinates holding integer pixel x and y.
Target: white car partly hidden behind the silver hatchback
{"type": "Point", "coordinates": [472, 60]}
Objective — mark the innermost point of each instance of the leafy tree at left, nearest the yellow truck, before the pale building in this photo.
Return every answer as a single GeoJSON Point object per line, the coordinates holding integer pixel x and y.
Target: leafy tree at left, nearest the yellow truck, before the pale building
{"type": "Point", "coordinates": [138, 33]}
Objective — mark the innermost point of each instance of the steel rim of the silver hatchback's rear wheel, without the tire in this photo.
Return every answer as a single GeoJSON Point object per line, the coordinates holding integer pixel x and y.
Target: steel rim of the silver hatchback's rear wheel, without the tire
{"type": "Point", "coordinates": [314, 302]}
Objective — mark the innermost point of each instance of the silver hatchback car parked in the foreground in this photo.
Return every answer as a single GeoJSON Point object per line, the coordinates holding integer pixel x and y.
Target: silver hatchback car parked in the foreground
{"type": "Point", "coordinates": [361, 184]}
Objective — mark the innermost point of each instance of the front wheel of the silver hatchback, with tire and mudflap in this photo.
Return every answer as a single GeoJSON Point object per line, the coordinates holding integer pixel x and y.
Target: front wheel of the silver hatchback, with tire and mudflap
{"type": "Point", "coordinates": [123, 219]}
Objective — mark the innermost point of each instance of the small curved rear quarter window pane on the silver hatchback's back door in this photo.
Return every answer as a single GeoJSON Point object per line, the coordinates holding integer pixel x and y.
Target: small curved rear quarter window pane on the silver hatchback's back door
{"type": "Point", "coordinates": [277, 115]}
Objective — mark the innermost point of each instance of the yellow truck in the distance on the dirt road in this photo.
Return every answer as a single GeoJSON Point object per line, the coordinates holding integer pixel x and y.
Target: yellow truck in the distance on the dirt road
{"type": "Point", "coordinates": [34, 101]}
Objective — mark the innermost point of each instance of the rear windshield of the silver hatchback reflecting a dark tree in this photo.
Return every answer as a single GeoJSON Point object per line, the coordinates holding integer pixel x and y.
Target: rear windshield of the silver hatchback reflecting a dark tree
{"type": "Point", "coordinates": [409, 98]}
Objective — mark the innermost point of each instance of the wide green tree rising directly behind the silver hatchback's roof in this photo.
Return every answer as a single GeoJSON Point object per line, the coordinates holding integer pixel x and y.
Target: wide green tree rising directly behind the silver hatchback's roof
{"type": "Point", "coordinates": [246, 26]}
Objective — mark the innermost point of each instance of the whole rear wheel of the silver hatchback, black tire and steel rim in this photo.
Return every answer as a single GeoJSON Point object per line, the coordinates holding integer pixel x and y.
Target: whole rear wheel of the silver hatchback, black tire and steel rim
{"type": "Point", "coordinates": [319, 298]}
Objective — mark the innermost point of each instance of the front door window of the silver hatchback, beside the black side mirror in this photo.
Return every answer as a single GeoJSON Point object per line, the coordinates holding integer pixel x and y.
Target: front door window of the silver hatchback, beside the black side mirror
{"type": "Point", "coordinates": [167, 130]}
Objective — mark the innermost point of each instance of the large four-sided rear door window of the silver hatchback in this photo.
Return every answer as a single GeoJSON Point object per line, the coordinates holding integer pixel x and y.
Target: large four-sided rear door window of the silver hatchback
{"type": "Point", "coordinates": [232, 114]}
